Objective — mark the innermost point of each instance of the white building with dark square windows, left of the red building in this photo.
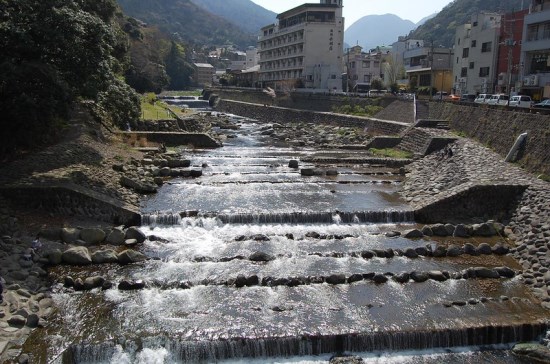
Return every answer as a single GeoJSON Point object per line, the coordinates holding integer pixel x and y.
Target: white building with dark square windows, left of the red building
{"type": "Point", "coordinates": [476, 54]}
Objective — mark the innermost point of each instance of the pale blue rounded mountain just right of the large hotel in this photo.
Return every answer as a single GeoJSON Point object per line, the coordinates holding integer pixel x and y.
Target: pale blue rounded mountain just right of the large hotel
{"type": "Point", "coordinates": [374, 30]}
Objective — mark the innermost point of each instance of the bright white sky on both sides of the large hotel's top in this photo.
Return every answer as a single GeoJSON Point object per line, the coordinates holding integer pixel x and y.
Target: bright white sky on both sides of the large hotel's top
{"type": "Point", "coordinates": [413, 10]}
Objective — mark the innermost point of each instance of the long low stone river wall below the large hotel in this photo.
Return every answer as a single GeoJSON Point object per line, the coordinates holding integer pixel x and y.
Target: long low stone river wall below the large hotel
{"type": "Point", "coordinates": [282, 115]}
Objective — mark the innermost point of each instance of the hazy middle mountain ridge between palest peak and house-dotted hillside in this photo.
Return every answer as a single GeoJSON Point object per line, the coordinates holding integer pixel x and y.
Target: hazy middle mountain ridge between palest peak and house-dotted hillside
{"type": "Point", "coordinates": [189, 21]}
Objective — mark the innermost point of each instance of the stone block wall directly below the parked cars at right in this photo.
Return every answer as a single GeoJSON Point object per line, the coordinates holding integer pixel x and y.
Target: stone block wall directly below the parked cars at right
{"type": "Point", "coordinates": [498, 129]}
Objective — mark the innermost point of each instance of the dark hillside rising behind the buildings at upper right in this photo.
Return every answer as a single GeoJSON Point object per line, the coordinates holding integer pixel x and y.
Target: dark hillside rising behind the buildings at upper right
{"type": "Point", "coordinates": [441, 29]}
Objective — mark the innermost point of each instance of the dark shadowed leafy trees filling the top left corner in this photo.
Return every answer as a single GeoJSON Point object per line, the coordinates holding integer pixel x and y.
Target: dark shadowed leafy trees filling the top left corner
{"type": "Point", "coordinates": [55, 53]}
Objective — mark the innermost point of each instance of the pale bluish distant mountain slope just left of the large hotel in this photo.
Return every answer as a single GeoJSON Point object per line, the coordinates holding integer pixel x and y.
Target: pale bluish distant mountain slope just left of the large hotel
{"type": "Point", "coordinates": [247, 15]}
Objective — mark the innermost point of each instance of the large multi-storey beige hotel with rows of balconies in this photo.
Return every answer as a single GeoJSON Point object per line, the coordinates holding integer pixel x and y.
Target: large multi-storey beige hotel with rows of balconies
{"type": "Point", "coordinates": [304, 48]}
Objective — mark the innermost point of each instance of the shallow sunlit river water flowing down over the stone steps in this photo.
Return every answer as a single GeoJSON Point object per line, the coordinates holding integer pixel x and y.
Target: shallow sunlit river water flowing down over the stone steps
{"type": "Point", "coordinates": [249, 201]}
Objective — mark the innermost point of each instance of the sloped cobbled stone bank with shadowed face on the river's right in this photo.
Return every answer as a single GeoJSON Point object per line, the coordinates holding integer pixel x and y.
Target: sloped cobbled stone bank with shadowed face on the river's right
{"type": "Point", "coordinates": [434, 182]}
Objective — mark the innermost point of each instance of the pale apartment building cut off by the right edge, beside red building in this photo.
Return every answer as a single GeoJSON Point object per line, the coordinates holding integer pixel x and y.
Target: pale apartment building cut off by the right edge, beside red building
{"type": "Point", "coordinates": [535, 51]}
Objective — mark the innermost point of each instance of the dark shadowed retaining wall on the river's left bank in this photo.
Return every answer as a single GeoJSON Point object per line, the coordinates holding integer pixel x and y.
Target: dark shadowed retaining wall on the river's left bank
{"type": "Point", "coordinates": [73, 200]}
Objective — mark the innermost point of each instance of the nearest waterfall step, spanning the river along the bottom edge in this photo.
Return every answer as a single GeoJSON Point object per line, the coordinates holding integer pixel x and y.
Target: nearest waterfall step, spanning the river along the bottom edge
{"type": "Point", "coordinates": [182, 350]}
